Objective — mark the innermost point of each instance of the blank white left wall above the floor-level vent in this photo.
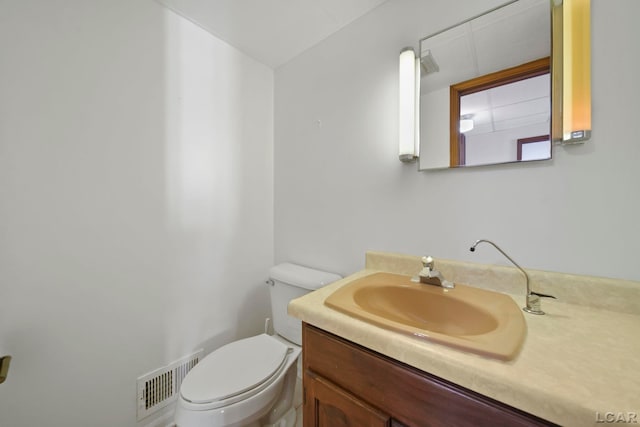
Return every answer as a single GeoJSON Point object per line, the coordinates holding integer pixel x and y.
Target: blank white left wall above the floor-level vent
{"type": "Point", "coordinates": [136, 200]}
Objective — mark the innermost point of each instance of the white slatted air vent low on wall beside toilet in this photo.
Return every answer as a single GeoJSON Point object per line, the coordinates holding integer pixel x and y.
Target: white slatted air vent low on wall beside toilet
{"type": "Point", "coordinates": [159, 388]}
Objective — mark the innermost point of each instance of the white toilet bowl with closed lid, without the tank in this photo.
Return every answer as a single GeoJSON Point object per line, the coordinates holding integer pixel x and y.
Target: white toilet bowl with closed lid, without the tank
{"type": "Point", "coordinates": [212, 394]}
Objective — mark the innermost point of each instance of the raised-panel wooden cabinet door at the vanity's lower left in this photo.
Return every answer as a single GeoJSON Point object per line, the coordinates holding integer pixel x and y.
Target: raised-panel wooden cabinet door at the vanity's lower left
{"type": "Point", "coordinates": [327, 405]}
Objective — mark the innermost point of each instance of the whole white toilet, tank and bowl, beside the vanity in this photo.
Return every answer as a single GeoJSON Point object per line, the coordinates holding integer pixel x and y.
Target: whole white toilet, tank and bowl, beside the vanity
{"type": "Point", "coordinates": [251, 382]}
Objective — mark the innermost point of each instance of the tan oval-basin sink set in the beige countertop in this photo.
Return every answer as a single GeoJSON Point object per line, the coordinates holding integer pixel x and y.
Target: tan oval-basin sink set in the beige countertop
{"type": "Point", "coordinates": [476, 320]}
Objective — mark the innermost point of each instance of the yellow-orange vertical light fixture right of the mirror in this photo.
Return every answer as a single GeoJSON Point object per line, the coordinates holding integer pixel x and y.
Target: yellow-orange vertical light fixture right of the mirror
{"type": "Point", "coordinates": [576, 52]}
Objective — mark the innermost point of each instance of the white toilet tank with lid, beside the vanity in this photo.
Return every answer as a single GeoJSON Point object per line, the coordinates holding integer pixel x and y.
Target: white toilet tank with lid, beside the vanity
{"type": "Point", "coordinates": [290, 281]}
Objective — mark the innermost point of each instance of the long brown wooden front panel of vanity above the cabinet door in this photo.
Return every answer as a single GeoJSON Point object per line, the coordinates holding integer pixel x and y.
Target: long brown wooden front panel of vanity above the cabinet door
{"type": "Point", "coordinates": [413, 397]}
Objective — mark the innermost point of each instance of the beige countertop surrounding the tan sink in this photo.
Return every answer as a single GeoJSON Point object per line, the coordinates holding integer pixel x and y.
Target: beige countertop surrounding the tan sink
{"type": "Point", "coordinates": [578, 366]}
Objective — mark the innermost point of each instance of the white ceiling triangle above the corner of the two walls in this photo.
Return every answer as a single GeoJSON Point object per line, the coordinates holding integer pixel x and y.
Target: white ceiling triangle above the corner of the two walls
{"type": "Point", "coordinates": [272, 31]}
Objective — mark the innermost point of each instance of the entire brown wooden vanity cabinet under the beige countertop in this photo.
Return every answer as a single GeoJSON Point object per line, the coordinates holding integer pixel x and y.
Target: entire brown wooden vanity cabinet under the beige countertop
{"type": "Point", "coordinates": [349, 385]}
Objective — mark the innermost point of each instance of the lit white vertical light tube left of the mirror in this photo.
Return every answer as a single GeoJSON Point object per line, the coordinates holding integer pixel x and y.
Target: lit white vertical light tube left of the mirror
{"type": "Point", "coordinates": [408, 105]}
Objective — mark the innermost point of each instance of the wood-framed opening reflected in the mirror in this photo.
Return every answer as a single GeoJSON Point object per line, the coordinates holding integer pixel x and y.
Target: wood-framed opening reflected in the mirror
{"type": "Point", "coordinates": [493, 115]}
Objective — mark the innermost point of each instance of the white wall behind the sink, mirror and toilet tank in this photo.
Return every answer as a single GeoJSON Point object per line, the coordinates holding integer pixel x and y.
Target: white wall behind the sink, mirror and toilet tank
{"type": "Point", "coordinates": [340, 190]}
